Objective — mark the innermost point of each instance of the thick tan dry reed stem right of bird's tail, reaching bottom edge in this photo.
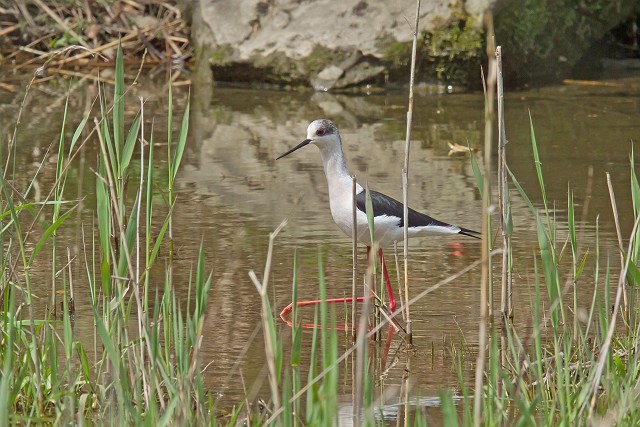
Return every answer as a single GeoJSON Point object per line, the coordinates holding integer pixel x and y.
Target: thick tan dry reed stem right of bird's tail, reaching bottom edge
{"type": "Point", "coordinates": [486, 204]}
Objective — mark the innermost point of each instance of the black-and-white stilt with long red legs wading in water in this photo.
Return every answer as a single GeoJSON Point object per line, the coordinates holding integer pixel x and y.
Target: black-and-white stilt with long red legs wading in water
{"type": "Point", "coordinates": [387, 212]}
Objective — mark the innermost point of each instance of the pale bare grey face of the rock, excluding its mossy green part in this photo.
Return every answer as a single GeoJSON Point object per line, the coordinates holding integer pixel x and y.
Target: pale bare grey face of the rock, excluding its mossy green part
{"type": "Point", "coordinates": [331, 44]}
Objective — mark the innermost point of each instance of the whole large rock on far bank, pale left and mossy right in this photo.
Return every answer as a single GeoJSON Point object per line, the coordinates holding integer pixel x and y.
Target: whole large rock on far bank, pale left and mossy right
{"type": "Point", "coordinates": [333, 44]}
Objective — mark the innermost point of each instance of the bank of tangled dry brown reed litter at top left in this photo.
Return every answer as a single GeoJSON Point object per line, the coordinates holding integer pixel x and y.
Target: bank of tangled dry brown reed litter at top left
{"type": "Point", "coordinates": [80, 33]}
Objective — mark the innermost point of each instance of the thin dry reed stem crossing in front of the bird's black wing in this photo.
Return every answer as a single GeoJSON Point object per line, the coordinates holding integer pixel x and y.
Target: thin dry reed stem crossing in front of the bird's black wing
{"type": "Point", "coordinates": [405, 175]}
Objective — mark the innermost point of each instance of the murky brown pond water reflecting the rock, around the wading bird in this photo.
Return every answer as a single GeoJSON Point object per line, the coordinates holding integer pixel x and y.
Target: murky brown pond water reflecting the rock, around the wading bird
{"type": "Point", "coordinates": [233, 193]}
